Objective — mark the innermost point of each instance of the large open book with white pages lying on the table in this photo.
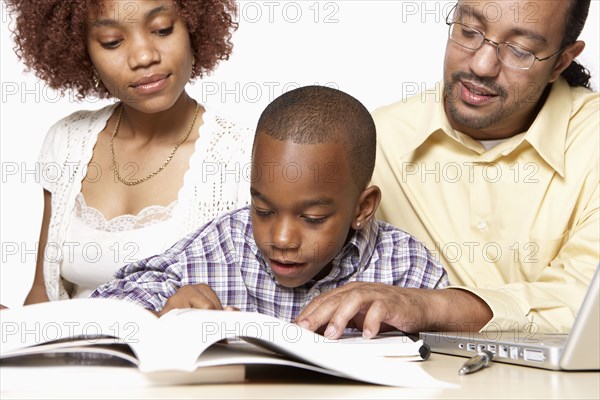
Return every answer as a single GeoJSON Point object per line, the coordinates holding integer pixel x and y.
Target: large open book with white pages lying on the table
{"type": "Point", "coordinates": [208, 346]}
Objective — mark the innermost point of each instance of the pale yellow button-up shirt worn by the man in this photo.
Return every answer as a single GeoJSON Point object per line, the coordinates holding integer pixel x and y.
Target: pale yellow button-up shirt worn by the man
{"type": "Point", "coordinates": [518, 224]}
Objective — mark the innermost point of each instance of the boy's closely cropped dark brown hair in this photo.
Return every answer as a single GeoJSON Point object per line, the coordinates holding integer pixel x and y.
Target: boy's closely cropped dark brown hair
{"type": "Point", "coordinates": [320, 114]}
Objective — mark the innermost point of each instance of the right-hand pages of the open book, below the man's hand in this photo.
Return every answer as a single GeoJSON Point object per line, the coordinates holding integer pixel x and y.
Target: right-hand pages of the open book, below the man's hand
{"type": "Point", "coordinates": [193, 331]}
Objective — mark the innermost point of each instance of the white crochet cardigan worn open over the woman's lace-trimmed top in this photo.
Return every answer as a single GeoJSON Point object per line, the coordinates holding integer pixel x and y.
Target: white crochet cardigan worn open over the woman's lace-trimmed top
{"type": "Point", "coordinates": [217, 181]}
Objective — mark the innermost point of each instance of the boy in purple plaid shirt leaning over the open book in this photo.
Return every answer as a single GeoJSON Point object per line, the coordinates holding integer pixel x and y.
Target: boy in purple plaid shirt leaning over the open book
{"type": "Point", "coordinates": [309, 229]}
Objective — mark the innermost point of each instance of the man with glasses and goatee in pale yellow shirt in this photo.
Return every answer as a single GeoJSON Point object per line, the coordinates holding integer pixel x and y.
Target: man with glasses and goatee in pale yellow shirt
{"type": "Point", "coordinates": [497, 171]}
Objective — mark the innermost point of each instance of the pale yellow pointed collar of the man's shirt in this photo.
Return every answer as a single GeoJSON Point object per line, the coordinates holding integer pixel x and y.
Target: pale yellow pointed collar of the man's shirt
{"type": "Point", "coordinates": [547, 134]}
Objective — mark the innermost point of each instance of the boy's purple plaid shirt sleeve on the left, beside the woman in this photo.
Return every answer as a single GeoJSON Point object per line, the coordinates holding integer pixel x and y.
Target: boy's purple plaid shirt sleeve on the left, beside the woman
{"type": "Point", "coordinates": [151, 281]}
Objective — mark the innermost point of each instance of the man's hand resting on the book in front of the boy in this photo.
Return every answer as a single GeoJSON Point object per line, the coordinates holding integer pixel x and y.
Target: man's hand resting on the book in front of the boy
{"type": "Point", "coordinates": [373, 307]}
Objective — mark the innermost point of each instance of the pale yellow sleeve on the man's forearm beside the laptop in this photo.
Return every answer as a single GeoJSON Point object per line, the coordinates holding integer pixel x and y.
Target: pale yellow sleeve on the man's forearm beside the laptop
{"type": "Point", "coordinates": [550, 303]}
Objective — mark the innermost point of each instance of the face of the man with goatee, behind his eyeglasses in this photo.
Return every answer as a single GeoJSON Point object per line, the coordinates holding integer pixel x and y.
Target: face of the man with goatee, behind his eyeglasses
{"type": "Point", "coordinates": [485, 98]}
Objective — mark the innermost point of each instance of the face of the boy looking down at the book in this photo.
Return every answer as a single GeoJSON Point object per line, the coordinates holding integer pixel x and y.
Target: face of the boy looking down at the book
{"type": "Point", "coordinates": [304, 202]}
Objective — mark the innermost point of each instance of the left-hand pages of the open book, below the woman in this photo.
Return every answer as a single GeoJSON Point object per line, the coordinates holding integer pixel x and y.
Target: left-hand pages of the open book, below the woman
{"type": "Point", "coordinates": [70, 326]}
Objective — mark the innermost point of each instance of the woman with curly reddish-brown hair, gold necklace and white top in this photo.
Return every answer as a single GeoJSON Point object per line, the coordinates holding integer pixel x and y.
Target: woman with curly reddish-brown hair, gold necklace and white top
{"type": "Point", "coordinates": [126, 181]}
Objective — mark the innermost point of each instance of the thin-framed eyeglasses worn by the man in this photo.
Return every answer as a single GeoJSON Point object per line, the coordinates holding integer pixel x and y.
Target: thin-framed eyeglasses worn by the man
{"type": "Point", "coordinates": [510, 54]}
